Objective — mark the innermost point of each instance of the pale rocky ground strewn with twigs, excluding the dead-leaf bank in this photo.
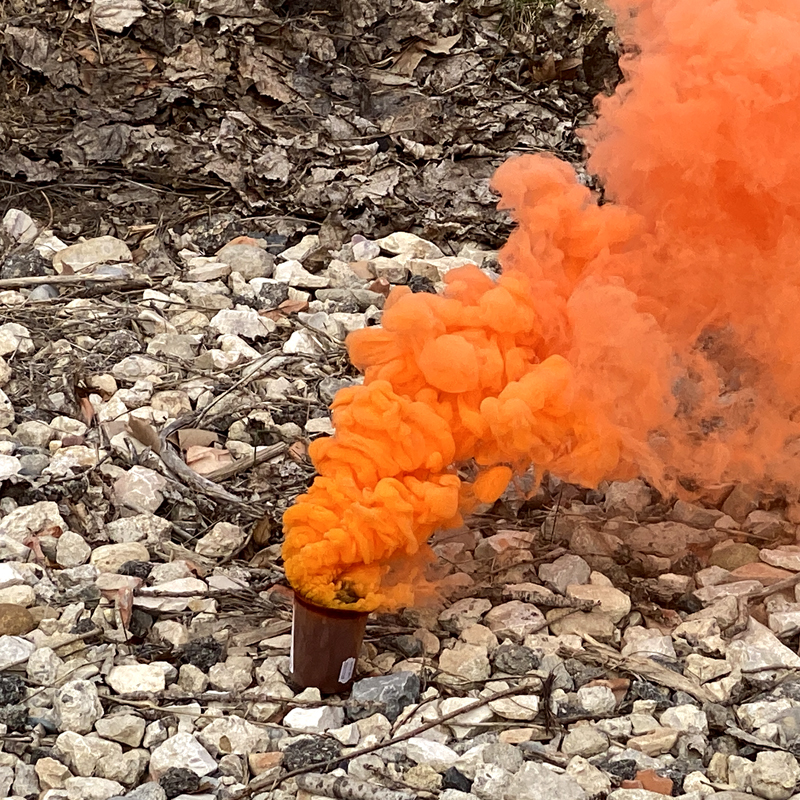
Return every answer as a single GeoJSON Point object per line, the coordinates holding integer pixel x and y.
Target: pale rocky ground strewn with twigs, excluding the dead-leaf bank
{"type": "Point", "coordinates": [592, 643]}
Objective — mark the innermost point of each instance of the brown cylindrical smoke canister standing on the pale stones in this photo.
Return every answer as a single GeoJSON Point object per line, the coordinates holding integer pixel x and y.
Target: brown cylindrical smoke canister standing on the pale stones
{"type": "Point", "coordinates": [325, 645]}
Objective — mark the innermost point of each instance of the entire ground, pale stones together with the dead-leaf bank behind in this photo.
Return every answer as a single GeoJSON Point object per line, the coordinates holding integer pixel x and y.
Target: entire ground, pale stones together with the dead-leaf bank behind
{"type": "Point", "coordinates": [200, 200]}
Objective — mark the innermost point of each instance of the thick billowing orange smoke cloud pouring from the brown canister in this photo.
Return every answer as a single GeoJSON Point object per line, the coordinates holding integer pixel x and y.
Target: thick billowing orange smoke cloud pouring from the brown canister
{"type": "Point", "coordinates": [653, 335]}
